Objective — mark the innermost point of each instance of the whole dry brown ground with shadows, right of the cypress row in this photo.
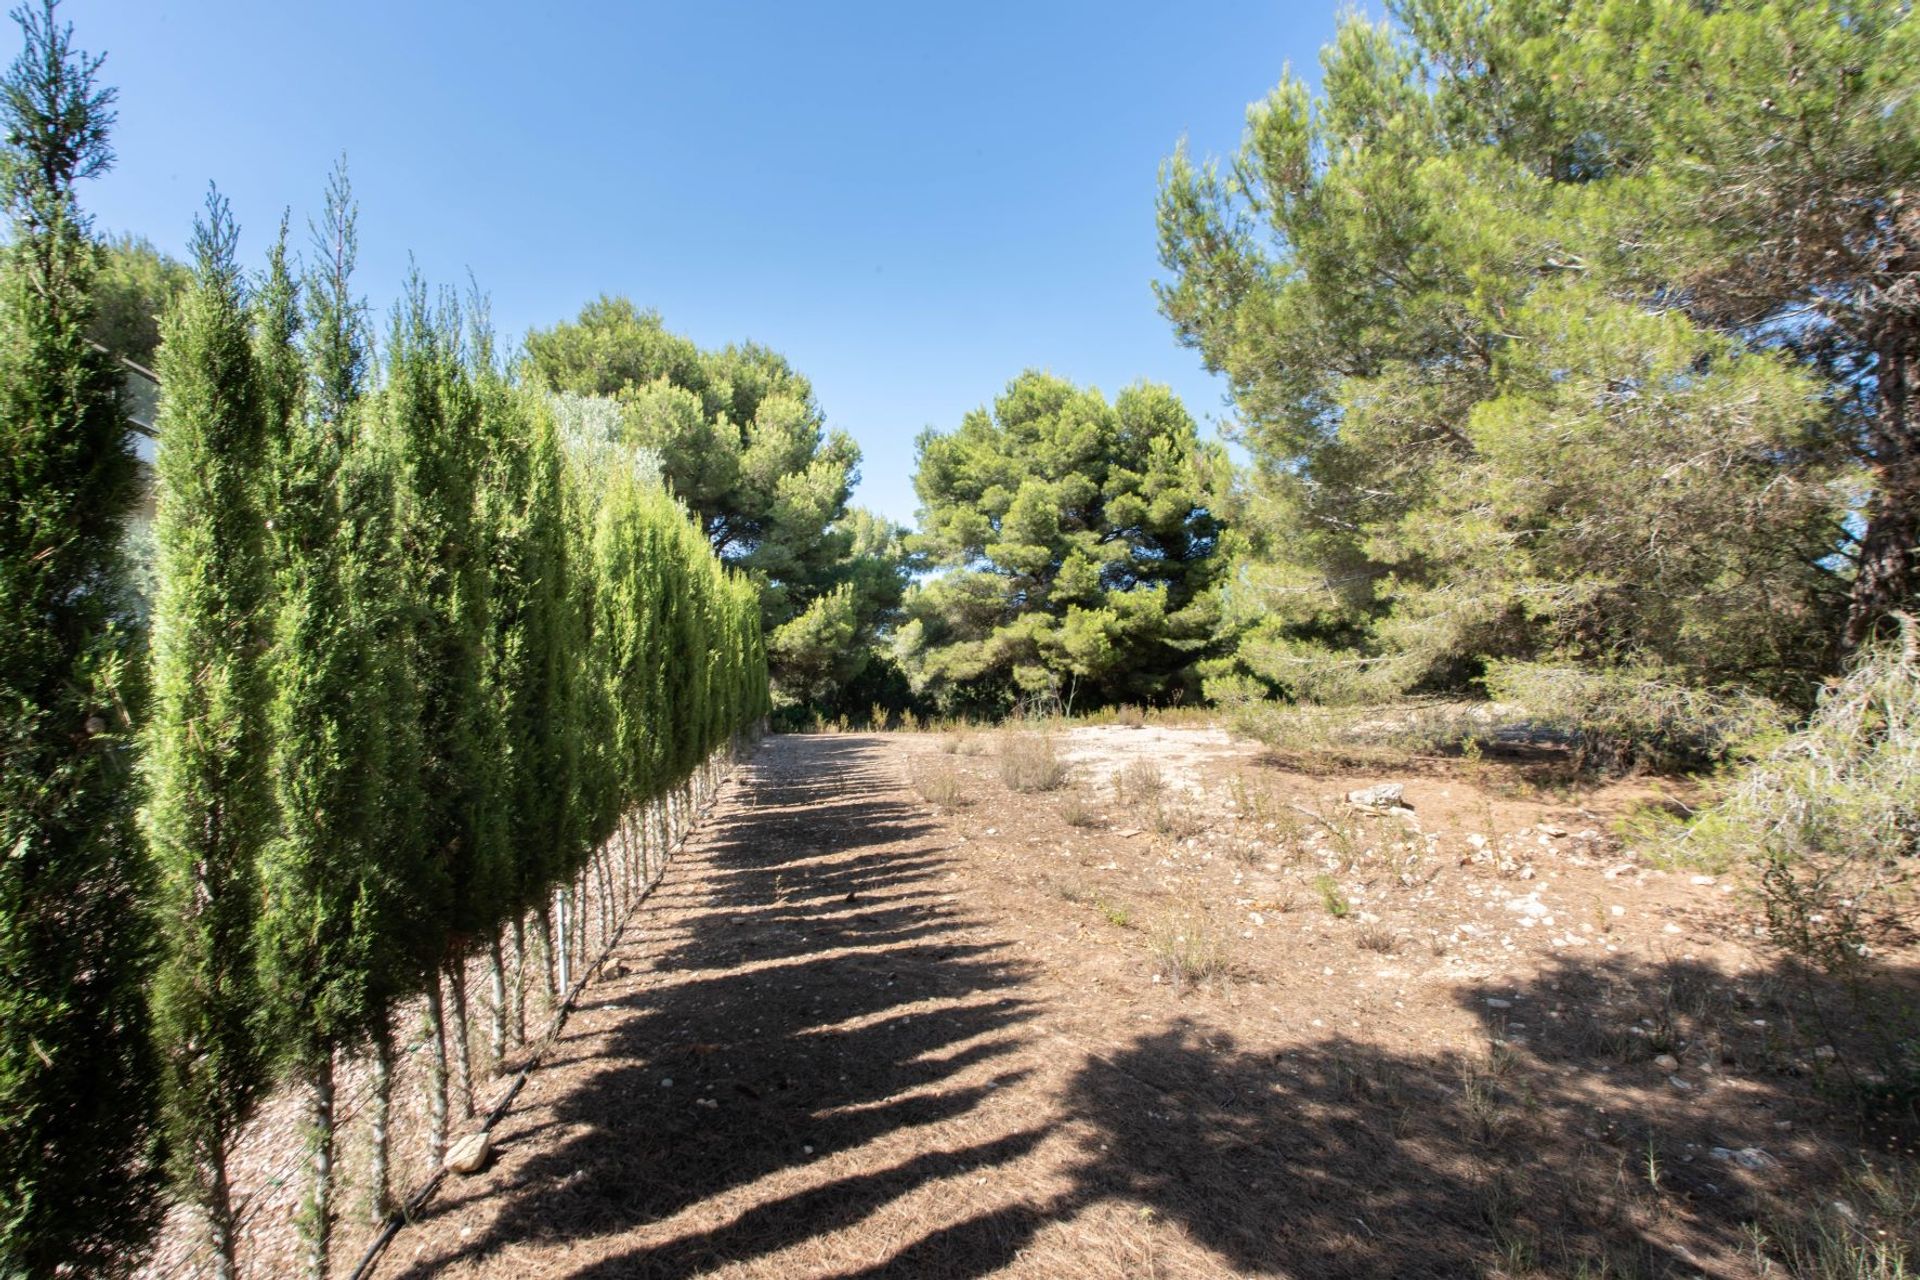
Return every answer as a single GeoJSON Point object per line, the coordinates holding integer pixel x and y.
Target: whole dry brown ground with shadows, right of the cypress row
{"type": "Point", "coordinates": [1211, 1026]}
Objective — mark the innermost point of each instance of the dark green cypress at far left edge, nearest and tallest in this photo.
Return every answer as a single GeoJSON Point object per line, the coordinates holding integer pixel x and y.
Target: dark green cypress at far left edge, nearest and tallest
{"type": "Point", "coordinates": [76, 1060]}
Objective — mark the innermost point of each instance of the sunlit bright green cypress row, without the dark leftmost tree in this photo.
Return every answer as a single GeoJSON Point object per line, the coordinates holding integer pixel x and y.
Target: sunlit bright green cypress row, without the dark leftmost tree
{"type": "Point", "coordinates": [414, 671]}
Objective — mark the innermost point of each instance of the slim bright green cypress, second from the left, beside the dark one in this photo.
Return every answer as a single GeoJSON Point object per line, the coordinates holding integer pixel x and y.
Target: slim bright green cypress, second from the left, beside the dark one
{"type": "Point", "coordinates": [210, 813]}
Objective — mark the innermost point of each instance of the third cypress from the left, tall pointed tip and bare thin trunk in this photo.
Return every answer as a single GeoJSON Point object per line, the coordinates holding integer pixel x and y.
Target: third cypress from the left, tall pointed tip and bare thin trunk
{"type": "Point", "coordinates": [335, 899]}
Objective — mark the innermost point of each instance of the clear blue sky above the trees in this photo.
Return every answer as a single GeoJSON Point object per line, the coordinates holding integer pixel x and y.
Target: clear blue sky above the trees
{"type": "Point", "coordinates": [915, 202]}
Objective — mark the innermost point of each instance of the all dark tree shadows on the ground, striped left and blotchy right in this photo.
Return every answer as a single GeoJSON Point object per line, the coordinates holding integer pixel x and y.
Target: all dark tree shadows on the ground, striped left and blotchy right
{"type": "Point", "coordinates": [1554, 1143]}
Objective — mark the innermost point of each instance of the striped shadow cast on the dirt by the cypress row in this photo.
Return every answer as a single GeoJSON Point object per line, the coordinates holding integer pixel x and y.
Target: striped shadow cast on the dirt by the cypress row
{"type": "Point", "coordinates": [796, 1001]}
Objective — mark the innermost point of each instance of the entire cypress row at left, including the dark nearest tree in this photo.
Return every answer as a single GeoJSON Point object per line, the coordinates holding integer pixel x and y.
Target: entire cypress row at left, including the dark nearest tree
{"type": "Point", "coordinates": [423, 680]}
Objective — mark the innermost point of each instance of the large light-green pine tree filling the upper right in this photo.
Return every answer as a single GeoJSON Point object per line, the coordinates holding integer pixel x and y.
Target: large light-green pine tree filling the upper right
{"type": "Point", "coordinates": [1575, 350]}
